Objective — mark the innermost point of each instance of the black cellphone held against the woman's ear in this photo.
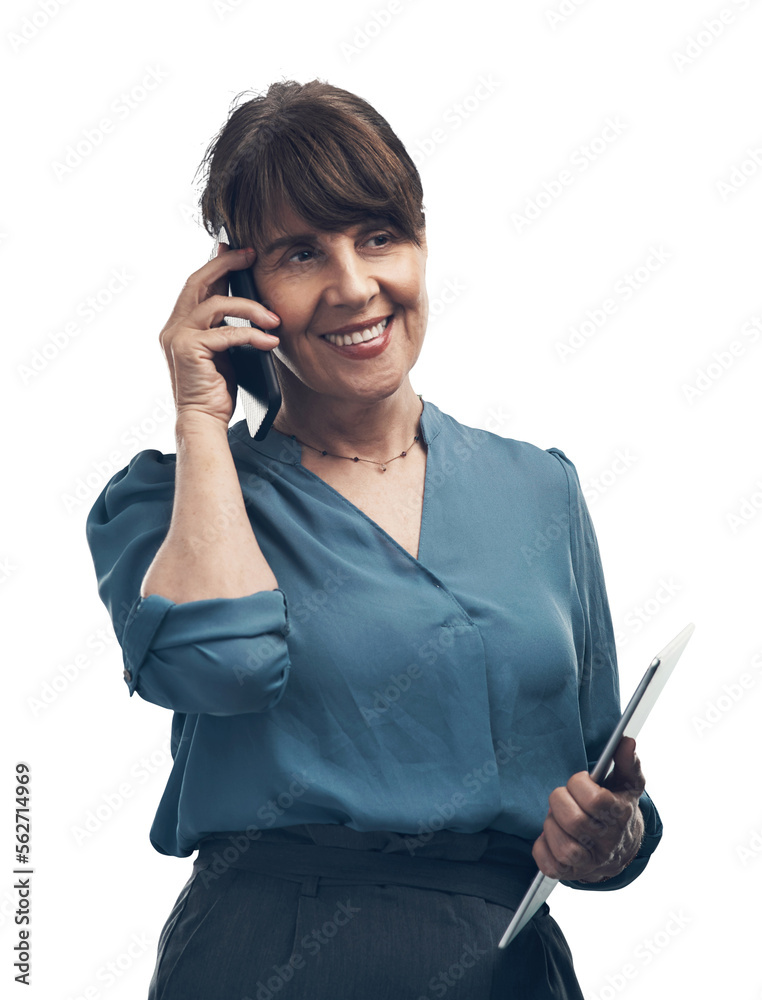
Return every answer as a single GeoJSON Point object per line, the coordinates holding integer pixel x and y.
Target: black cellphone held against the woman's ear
{"type": "Point", "coordinates": [254, 370]}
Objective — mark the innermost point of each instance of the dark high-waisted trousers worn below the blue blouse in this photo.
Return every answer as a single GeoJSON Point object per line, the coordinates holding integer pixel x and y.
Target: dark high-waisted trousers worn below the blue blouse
{"type": "Point", "coordinates": [325, 913]}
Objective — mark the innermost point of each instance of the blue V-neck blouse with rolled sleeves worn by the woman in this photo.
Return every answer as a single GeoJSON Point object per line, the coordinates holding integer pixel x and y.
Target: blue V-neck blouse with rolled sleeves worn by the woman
{"type": "Point", "coordinates": [374, 689]}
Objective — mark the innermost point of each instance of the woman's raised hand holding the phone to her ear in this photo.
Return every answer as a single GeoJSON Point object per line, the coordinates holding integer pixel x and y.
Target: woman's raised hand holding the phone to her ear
{"type": "Point", "coordinates": [195, 344]}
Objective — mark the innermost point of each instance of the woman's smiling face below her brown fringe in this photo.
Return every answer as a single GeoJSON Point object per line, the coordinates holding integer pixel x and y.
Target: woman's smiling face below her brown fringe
{"type": "Point", "coordinates": [322, 283]}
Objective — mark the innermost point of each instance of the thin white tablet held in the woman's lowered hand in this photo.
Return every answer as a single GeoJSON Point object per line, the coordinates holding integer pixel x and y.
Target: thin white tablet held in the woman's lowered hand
{"type": "Point", "coordinates": [633, 717]}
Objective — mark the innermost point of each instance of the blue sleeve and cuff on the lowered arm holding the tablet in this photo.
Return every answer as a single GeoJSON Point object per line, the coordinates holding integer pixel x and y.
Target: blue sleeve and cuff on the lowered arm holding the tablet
{"type": "Point", "coordinates": [599, 696]}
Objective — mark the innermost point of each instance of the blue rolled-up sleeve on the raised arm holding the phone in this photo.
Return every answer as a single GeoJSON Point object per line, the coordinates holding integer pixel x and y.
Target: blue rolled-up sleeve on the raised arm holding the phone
{"type": "Point", "coordinates": [222, 656]}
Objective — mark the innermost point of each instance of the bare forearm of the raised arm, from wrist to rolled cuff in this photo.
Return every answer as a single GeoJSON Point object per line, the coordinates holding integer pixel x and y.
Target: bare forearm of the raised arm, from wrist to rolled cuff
{"type": "Point", "coordinates": [210, 550]}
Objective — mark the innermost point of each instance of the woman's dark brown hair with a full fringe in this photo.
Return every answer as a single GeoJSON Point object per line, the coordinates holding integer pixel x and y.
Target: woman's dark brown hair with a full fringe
{"type": "Point", "coordinates": [313, 147]}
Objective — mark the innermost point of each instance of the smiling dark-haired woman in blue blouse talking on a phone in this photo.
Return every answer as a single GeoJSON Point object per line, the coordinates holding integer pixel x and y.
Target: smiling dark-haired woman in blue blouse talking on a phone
{"type": "Point", "coordinates": [384, 635]}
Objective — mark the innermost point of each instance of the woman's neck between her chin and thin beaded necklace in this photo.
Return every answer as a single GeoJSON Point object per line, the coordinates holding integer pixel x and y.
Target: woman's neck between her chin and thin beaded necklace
{"type": "Point", "coordinates": [373, 429]}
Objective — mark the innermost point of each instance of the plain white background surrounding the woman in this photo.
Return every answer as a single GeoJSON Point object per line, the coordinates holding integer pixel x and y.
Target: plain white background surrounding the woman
{"type": "Point", "coordinates": [685, 97]}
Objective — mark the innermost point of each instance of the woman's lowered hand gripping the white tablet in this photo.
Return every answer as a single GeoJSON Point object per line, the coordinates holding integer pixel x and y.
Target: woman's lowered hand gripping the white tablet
{"type": "Point", "coordinates": [593, 831]}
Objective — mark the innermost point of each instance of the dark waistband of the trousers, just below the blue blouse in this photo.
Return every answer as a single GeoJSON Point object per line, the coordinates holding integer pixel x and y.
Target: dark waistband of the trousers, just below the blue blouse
{"type": "Point", "coordinates": [494, 866]}
